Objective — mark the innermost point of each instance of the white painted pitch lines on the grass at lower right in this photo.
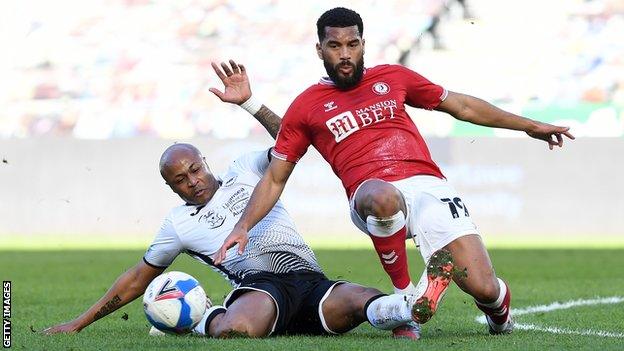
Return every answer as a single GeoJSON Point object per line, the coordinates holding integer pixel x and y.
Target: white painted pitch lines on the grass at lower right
{"type": "Point", "coordinates": [561, 306]}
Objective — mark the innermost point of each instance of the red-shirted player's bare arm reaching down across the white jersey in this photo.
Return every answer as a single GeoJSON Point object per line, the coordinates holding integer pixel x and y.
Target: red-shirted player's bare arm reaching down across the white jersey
{"type": "Point", "coordinates": [262, 200]}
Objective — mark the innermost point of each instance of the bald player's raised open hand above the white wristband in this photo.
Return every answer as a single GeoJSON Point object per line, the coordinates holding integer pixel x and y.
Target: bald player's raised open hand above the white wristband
{"type": "Point", "coordinates": [235, 82]}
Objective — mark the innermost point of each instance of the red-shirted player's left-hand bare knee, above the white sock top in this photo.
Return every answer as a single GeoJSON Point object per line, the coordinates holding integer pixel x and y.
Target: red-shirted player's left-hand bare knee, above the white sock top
{"type": "Point", "coordinates": [378, 198]}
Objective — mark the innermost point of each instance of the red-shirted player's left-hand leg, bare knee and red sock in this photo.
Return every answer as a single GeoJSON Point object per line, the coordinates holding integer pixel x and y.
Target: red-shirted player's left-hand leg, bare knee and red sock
{"type": "Point", "coordinates": [380, 211]}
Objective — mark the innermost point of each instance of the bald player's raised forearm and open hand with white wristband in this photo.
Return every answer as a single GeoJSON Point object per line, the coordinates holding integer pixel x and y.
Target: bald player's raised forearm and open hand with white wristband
{"type": "Point", "coordinates": [238, 91]}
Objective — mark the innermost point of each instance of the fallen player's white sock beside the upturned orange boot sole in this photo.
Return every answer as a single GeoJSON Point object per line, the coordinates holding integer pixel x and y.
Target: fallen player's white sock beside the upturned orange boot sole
{"type": "Point", "coordinates": [389, 312]}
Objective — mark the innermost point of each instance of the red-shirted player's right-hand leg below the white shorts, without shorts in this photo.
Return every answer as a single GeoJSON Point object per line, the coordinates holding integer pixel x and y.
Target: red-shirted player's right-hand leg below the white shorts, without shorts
{"type": "Point", "coordinates": [491, 294]}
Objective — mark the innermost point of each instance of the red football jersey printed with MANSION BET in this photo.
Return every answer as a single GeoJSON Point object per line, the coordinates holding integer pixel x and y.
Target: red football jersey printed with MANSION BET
{"type": "Point", "coordinates": [363, 132]}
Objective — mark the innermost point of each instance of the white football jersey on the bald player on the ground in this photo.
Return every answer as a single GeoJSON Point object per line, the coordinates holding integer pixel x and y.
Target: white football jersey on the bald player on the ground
{"type": "Point", "coordinates": [274, 243]}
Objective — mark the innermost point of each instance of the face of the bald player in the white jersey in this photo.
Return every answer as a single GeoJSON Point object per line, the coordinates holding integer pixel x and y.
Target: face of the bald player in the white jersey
{"type": "Point", "coordinates": [188, 176]}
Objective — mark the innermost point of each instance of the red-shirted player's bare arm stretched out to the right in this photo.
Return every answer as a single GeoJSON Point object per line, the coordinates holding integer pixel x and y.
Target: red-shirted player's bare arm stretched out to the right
{"type": "Point", "coordinates": [471, 109]}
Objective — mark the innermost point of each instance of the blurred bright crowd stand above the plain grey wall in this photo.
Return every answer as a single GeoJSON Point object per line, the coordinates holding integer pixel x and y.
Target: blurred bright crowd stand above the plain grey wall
{"type": "Point", "coordinates": [117, 69]}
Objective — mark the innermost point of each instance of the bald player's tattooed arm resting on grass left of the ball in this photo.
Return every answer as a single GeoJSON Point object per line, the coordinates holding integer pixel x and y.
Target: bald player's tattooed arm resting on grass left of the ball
{"type": "Point", "coordinates": [126, 288]}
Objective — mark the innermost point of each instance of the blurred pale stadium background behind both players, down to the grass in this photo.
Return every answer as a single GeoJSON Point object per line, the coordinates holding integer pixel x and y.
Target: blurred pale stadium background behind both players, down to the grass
{"type": "Point", "coordinates": [92, 92]}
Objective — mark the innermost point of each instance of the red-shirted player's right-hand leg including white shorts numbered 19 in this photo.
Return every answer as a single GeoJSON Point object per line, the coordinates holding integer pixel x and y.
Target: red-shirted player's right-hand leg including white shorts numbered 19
{"type": "Point", "coordinates": [440, 219]}
